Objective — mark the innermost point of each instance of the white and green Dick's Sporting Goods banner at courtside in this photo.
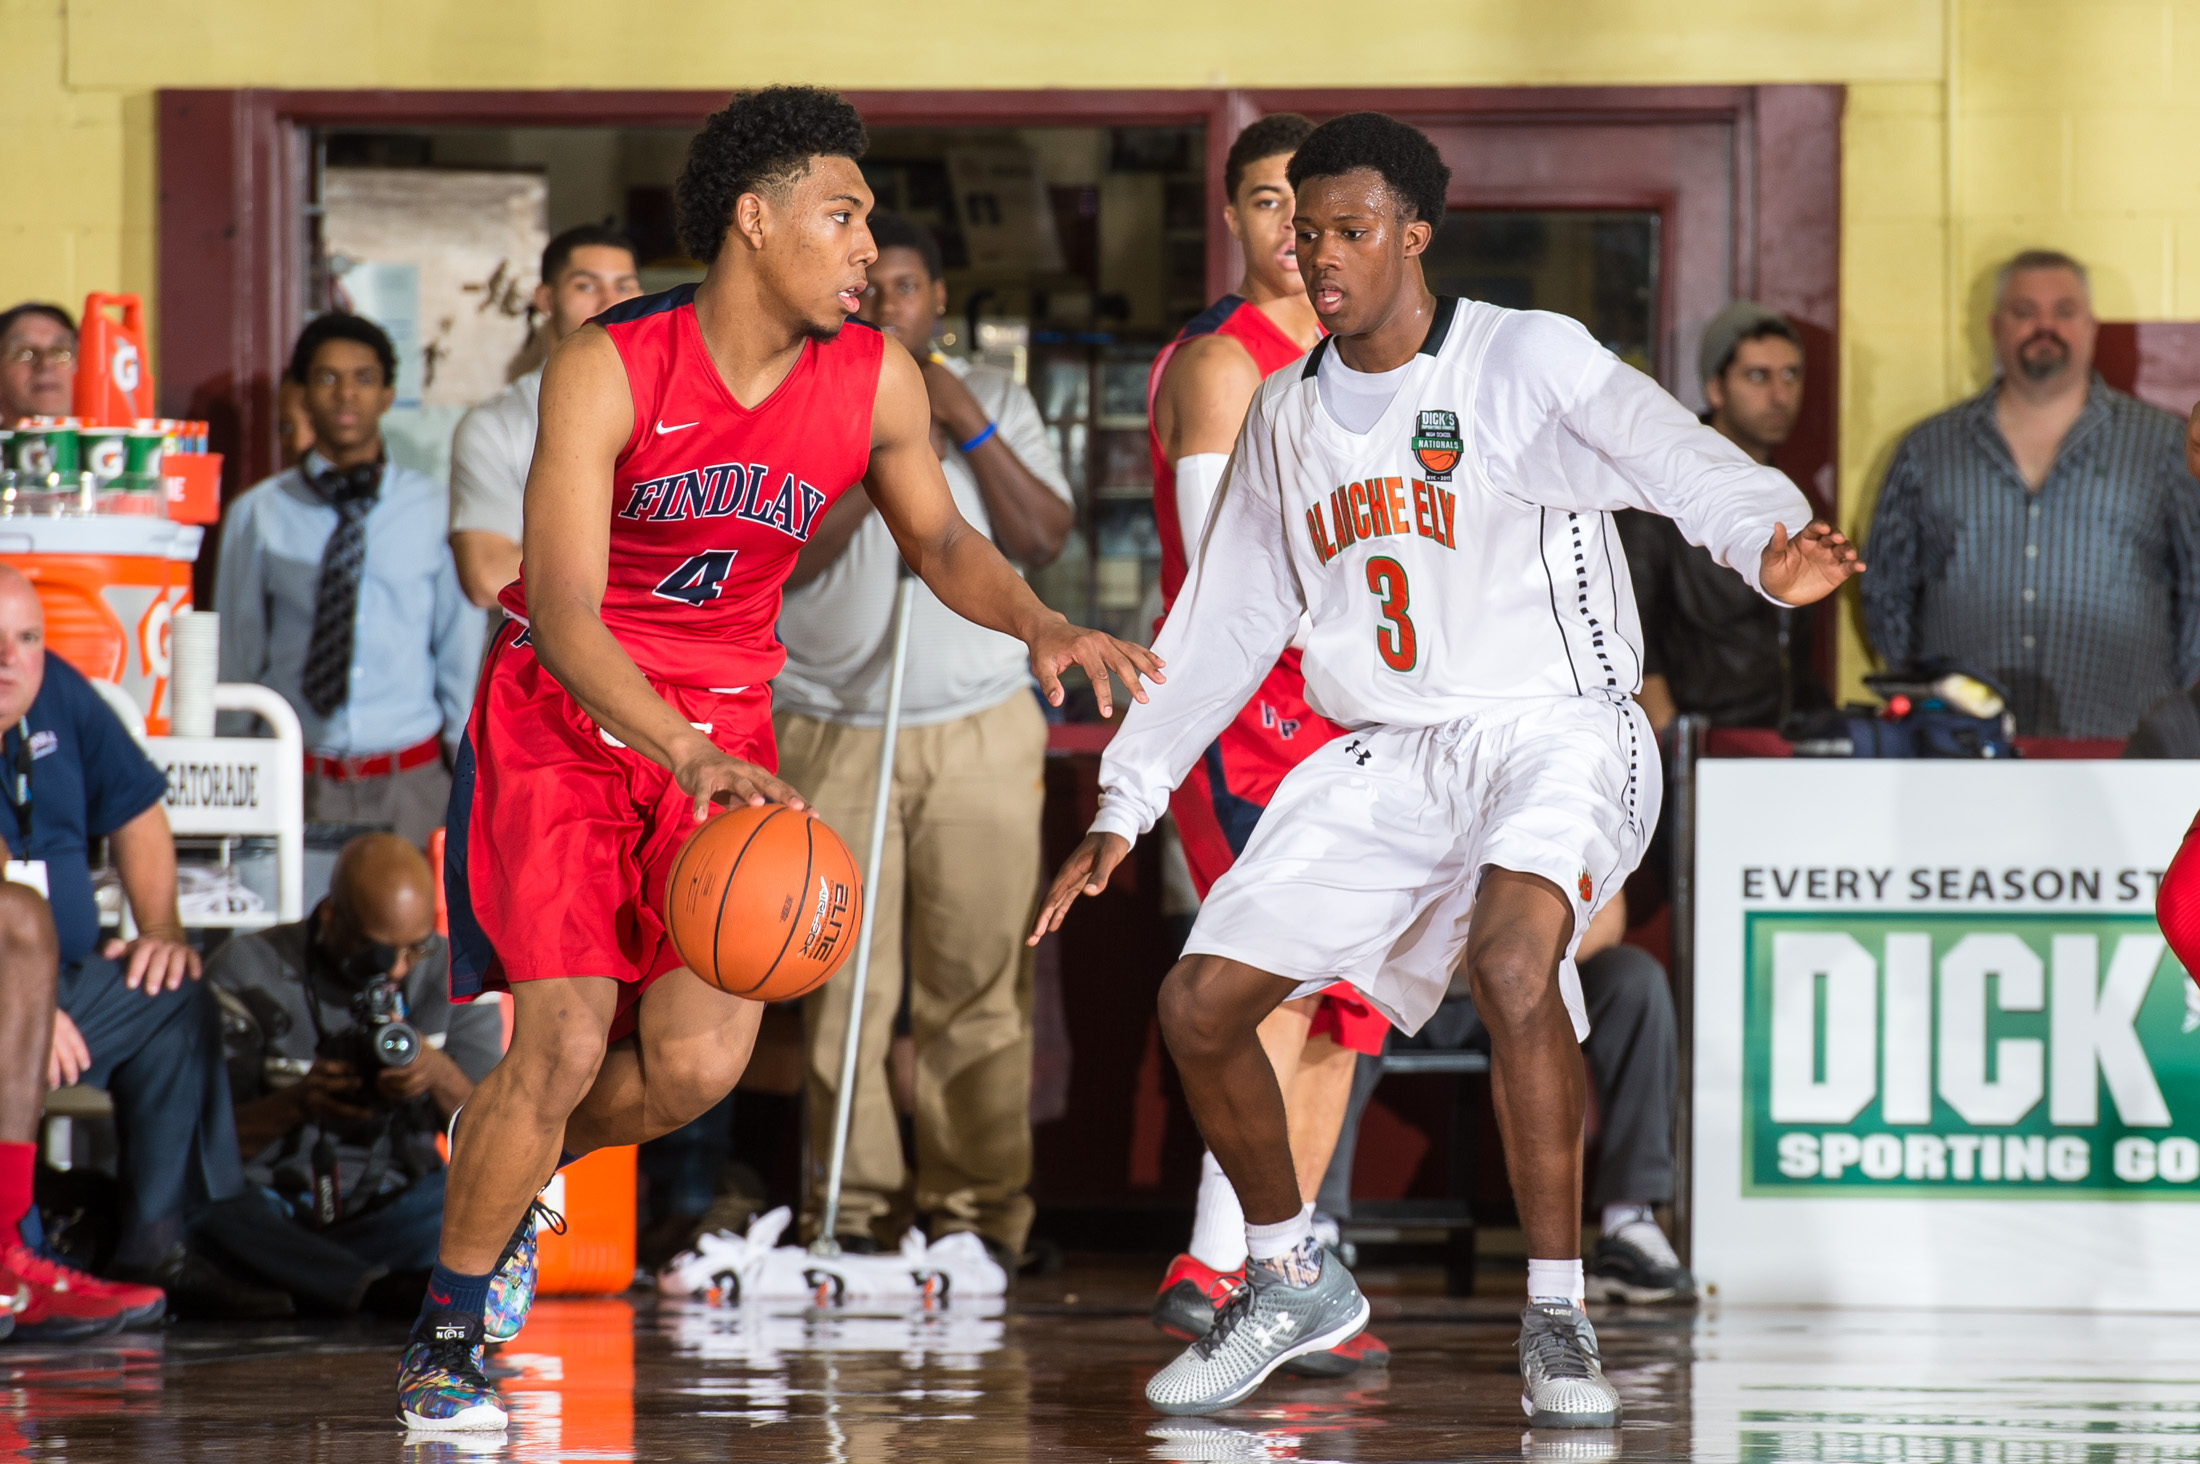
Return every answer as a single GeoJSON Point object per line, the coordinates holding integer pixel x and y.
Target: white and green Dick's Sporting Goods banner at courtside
{"type": "Point", "coordinates": [1944, 1056]}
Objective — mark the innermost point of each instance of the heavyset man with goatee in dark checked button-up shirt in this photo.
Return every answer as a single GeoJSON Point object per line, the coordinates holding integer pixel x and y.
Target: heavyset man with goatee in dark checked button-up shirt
{"type": "Point", "coordinates": [2045, 532]}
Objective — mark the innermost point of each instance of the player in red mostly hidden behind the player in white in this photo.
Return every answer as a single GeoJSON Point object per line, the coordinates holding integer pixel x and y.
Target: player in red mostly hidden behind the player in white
{"type": "Point", "coordinates": [1198, 397]}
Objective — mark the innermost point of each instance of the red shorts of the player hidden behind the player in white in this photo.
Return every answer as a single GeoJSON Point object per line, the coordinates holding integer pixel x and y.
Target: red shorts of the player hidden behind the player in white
{"type": "Point", "coordinates": [1220, 805]}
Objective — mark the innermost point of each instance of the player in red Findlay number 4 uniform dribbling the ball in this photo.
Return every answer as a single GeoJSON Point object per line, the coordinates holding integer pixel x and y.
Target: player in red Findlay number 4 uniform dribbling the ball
{"type": "Point", "coordinates": [690, 444]}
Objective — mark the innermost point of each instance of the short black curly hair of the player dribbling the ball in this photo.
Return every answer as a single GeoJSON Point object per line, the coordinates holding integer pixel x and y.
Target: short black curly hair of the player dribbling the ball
{"type": "Point", "coordinates": [758, 142]}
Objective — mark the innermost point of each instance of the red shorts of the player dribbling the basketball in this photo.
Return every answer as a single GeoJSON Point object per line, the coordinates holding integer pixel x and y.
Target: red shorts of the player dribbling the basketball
{"type": "Point", "coordinates": [560, 840]}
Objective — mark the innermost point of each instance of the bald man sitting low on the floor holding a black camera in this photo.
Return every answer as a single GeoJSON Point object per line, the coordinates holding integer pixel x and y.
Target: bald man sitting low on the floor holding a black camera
{"type": "Point", "coordinates": [342, 1137]}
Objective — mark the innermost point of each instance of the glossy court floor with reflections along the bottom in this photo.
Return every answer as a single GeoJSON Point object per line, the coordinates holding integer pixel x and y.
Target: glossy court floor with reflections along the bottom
{"type": "Point", "coordinates": [1057, 1375]}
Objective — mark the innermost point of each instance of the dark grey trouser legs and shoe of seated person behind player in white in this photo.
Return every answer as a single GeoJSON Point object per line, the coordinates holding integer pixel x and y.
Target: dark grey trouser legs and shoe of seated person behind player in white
{"type": "Point", "coordinates": [1633, 1060]}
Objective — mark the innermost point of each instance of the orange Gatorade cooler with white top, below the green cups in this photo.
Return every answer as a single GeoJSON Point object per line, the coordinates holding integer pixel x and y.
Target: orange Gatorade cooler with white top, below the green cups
{"type": "Point", "coordinates": [111, 587]}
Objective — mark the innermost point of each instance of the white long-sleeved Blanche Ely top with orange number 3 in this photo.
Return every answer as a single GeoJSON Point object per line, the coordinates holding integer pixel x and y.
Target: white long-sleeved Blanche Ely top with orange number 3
{"type": "Point", "coordinates": [1455, 558]}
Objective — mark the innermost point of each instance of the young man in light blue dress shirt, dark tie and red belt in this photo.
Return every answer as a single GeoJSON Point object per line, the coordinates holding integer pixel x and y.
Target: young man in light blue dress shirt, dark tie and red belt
{"type": "Point", "coordinates": [340, 593]}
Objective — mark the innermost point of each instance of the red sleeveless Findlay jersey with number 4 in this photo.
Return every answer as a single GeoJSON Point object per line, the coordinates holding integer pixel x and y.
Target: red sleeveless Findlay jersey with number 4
{"type": "Point", "coordinates": [714, 501]}
